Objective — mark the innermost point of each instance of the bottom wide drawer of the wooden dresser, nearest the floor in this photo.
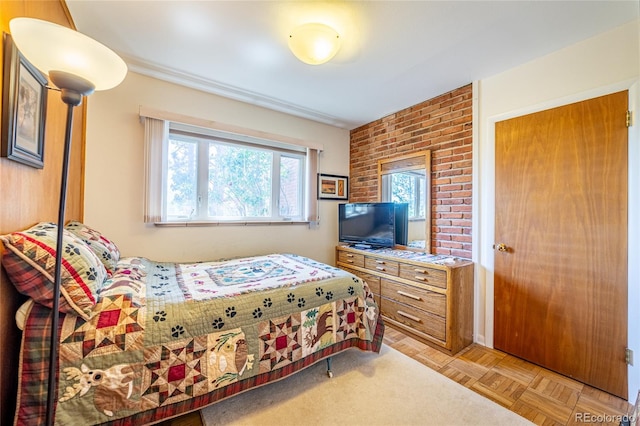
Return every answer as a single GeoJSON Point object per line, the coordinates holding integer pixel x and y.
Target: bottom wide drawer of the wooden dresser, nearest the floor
{"type": "Point", "coordinates": [421, 321]}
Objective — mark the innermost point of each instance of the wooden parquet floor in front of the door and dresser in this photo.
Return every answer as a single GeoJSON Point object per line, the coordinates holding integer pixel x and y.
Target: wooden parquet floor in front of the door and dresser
{"type": "Point", "coordinates": [540, 395]}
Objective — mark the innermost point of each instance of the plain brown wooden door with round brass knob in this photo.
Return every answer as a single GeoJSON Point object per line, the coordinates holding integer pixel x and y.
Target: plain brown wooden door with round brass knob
{"type": "Point", "coordinates": [560, 287]}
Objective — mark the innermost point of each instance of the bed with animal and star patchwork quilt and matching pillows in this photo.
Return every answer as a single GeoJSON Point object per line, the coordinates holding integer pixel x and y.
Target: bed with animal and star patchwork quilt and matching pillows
{"type": "Point", "coordinates": [142, 341]}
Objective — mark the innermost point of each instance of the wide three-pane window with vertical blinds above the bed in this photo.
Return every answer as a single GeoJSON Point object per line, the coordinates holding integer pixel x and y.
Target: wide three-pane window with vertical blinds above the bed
{"type": "Point", "coordinates": [203, 175]}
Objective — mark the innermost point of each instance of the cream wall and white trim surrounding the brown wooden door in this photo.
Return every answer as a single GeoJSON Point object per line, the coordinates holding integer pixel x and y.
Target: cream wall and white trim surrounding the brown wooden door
{"type": "Point", "coordinates": [604, 64]}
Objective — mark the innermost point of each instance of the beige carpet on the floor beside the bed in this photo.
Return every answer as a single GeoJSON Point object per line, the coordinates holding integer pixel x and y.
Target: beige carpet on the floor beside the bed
{"type": "Point", "coordinates": [366, 389]}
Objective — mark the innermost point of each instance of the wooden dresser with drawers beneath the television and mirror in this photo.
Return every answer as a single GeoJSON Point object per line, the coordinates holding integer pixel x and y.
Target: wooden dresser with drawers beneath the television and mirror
{"type": "Point", "coordinates": [418, 293]}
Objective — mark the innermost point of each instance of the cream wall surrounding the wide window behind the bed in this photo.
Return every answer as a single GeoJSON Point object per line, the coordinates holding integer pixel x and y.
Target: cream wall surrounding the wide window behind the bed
{"type": "Point", "coordinates": [115, 168]}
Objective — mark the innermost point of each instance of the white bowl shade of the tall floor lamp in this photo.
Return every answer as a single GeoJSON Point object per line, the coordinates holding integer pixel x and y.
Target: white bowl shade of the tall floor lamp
{"type": "Point", "coordinates": [51, 47]}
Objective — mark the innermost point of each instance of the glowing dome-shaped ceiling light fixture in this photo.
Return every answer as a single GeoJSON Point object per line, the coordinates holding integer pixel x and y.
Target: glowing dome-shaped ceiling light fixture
{"type": "Point", "coordinates": [314, 43]}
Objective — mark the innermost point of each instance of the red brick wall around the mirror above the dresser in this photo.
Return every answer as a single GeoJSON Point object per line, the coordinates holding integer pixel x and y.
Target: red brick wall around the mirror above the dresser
{"type": "Point", "coordinates": [442, 125]}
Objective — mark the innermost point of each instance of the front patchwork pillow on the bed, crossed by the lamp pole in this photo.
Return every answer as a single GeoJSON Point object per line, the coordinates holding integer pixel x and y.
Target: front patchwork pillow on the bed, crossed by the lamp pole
{"type": "Point", "coordinates": [29, 260]}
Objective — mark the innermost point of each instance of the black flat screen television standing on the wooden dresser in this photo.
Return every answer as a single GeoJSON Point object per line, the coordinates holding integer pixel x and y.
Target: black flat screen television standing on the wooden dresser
{"type": "Point", "coordinates": [367, 224]}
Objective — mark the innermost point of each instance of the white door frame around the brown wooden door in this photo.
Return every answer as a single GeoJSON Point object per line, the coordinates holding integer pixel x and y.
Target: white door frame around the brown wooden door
{"type": "Point", "coordinates": [483, 224]}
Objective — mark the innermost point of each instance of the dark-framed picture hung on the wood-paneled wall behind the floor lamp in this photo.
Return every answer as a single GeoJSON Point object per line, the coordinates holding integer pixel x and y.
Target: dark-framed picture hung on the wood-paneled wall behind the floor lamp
{"type": "Point", "coordinates": [24, 107]}
